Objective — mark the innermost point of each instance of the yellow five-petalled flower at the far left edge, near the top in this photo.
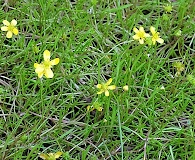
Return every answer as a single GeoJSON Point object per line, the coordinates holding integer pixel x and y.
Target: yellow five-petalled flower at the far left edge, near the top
{"type": "Point", "coordinates": [10, 28]}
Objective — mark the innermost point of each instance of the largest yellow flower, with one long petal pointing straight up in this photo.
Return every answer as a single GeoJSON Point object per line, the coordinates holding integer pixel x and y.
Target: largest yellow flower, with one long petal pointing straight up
{"type": "Point", "coordinates": [45, 67]}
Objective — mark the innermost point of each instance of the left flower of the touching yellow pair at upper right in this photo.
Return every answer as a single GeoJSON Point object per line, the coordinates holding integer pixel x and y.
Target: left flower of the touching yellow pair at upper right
{"type": "Point", "coordinates": [140, 35]}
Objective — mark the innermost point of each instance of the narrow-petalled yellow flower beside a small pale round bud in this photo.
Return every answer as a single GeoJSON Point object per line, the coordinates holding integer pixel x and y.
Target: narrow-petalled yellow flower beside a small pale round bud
{"type": "Point", "coordinates": [104, 87]}
